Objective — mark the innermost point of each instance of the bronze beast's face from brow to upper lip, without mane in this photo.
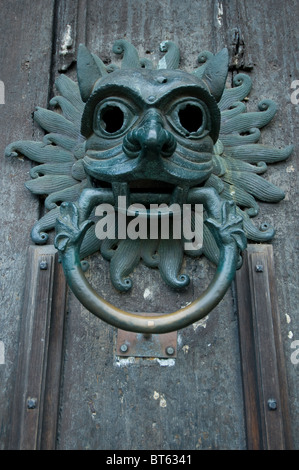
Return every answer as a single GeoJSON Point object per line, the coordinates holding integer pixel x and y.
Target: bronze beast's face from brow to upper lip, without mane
{"type": "Point", "coordinates": [150, 126]}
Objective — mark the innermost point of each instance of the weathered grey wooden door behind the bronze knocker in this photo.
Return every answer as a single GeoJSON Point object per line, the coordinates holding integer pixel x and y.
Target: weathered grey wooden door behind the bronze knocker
{"type": "Point", "coordinates": [215, 393]}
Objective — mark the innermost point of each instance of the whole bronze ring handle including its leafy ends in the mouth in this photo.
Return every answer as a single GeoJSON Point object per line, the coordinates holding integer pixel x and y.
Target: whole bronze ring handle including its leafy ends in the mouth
{"type": "Point", "coordinates": [228, 234]}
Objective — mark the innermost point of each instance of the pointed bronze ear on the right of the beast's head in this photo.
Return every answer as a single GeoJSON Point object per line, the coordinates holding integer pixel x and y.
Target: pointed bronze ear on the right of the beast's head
{"type": "Point", "coordinates": [215, 73]}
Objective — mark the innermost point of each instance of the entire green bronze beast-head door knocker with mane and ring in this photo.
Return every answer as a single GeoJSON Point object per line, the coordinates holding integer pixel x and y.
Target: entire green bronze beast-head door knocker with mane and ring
{"type": "Point", "coordinates": [151, 136]}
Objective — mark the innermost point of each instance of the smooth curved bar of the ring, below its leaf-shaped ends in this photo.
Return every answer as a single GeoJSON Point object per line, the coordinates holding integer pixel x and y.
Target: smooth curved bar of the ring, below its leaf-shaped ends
{"type": "Point", "coordinates": [150, 324]}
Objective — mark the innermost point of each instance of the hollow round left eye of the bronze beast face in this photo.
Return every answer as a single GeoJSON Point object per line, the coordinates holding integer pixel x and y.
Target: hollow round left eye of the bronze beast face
{"type": "Point", "coordinates": [112, 118]}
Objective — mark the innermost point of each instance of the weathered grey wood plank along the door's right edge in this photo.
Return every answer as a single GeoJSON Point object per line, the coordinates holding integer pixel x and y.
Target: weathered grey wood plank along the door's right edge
{"type": "Point", "coordinates": [270, 35]}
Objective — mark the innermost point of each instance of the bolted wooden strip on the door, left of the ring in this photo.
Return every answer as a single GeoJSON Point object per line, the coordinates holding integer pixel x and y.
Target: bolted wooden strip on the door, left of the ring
{"type": "Point", "coordinates": [36, 394]}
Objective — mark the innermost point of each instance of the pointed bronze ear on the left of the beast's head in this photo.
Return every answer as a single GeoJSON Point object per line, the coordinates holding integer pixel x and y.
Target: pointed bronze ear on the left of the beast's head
{"type": "Point", "coordinates": [89, 69]}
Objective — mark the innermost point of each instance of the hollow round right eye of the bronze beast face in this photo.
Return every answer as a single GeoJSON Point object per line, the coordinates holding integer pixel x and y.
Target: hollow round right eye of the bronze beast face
{"type": "Point", "coordinates": [190, 118]}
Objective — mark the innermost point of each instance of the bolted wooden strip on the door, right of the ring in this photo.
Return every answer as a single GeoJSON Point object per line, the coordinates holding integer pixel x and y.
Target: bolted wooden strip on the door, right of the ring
{"type": "Point", "coordinates": [263, 366]}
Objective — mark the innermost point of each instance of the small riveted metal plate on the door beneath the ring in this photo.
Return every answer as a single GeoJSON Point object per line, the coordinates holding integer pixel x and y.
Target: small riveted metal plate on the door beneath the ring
{"type": "Point", "coordinates": [129, 344]}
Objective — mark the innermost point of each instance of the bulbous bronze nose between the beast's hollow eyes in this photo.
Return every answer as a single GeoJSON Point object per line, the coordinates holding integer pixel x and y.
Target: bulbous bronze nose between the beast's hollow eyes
{"type": "Point", "coordinates": [149, 140]}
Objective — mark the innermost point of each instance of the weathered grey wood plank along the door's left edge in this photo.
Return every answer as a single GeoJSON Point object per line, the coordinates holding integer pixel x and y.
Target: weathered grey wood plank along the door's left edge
{"type": "Point", "coordinates": [25, 57]}
